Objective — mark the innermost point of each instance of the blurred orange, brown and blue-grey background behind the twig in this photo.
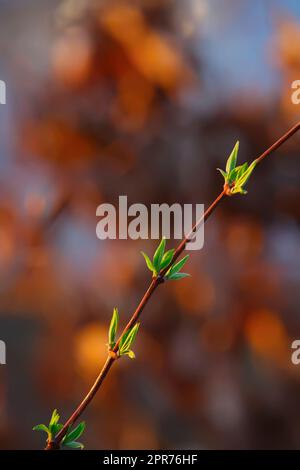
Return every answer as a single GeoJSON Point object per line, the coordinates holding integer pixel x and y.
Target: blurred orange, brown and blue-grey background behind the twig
{"type": "Point", "coordinates": [146, 98]}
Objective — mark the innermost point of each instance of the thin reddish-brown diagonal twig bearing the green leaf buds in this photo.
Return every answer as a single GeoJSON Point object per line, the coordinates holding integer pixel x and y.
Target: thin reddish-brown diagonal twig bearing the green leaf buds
{"type": "Point", "coordinates": [147, 296]}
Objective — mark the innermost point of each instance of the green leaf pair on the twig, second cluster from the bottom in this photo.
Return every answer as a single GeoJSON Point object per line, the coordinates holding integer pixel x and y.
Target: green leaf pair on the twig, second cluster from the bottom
{"type": "Point", "coordinates": [126, 340]}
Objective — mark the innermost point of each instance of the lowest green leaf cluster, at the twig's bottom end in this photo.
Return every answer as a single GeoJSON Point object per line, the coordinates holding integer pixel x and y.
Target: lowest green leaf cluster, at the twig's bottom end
{"type": "Point", "coordinates": [54, 426]}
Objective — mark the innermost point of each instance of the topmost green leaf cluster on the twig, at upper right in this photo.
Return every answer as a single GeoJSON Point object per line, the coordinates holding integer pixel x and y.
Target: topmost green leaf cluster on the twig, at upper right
{"type": "Point", "coordinates": [235, 177]}
